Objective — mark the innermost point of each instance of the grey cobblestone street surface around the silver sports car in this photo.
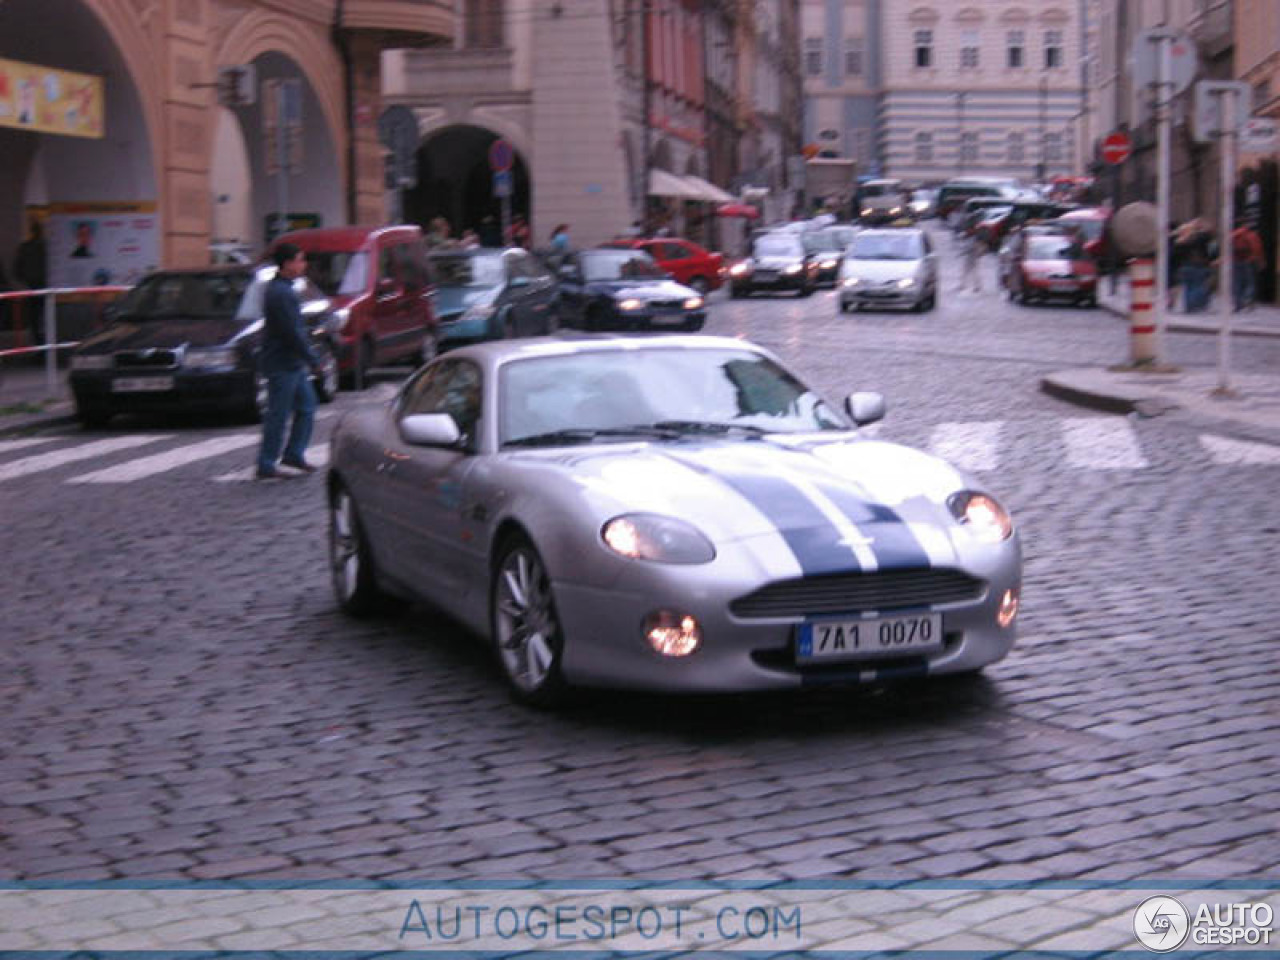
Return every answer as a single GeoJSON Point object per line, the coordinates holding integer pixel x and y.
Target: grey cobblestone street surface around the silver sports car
{"type": "Point", "coordinates": [184, 701]}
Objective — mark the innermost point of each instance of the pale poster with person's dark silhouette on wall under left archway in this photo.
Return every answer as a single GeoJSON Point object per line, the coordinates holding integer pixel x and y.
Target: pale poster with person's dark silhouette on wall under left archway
{"type": "Point", "coordinates": [95, 245]}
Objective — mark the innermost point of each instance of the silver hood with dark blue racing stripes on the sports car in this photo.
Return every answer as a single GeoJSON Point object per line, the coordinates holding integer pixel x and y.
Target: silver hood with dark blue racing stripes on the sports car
{"type": "Point", "coordinates": [834, 505]}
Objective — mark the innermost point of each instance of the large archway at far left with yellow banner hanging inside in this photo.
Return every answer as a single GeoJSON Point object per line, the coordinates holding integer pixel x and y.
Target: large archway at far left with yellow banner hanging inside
{"type": "Point", "coordinates": [71, 180]}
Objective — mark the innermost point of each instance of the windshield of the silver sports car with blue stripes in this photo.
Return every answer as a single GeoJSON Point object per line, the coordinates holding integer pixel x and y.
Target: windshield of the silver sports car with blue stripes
{"type": "Point", "coordinates": [609, 391]}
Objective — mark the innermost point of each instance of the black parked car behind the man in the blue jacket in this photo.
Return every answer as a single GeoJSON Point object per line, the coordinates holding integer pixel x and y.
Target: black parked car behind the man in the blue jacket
{"type": "Point", "coordinates": [189, 340]}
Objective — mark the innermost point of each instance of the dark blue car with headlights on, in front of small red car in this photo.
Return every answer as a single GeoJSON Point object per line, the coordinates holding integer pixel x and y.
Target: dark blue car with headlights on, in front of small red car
{"type": "Point", "coordinates": [614, 289]}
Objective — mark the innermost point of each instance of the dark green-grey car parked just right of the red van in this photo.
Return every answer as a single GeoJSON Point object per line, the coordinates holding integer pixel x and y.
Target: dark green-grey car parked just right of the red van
{"type": "Point", "coordinates": [488, 294]}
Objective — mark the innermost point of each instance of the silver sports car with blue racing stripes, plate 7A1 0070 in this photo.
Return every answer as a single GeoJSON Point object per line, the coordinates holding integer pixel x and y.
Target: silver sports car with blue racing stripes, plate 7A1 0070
{"type": "Point", "coordinates": [666, 514]}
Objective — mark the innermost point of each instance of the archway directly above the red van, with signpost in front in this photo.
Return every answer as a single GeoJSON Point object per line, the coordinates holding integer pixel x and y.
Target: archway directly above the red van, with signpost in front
{"type": "Point", "coordinates": [250, 184]}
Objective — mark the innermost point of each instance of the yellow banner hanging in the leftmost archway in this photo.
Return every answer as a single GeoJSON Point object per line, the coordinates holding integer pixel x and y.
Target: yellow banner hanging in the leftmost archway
{"type": "Point", "coordinates": [51, 102]}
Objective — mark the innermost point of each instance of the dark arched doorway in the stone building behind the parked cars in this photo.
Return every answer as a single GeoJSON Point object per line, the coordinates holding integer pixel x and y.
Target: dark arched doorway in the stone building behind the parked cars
{"type": "Point", "coordinates": [455, 182]}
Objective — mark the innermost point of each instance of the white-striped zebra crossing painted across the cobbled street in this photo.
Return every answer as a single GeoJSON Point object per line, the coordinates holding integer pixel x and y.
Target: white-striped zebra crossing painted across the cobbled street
{"type": "Point", "coordinates": [1098, 445]}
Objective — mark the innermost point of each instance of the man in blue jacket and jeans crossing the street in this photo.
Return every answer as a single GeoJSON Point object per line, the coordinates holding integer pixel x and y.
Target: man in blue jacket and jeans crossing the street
{"type": "Point", "coordinates": [287, 363]}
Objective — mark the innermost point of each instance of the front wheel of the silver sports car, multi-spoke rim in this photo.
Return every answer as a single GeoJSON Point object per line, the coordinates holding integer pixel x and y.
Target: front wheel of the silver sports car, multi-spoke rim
{"type": "Point", "coordinates": [525, 628]}
